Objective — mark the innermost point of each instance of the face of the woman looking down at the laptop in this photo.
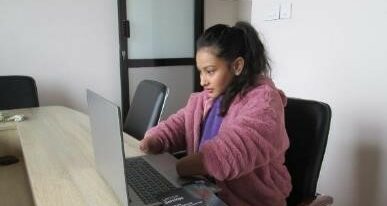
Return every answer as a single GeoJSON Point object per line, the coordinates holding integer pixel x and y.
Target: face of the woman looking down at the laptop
{"type": "Point", "coordinates": [215, 73]}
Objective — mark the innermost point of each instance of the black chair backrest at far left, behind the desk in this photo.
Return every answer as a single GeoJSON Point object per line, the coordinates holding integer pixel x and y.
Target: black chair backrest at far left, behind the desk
{"type": "Point", "coordinates": [18, 92]}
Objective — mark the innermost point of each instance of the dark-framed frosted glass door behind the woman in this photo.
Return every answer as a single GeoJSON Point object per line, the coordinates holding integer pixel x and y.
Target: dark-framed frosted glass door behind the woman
{"type": "Point", "coordinates": [160, 38]}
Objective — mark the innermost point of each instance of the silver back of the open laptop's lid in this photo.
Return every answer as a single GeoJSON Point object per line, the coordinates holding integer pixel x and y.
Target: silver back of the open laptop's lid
{"type": "Point", "coordinates": [106, 131]}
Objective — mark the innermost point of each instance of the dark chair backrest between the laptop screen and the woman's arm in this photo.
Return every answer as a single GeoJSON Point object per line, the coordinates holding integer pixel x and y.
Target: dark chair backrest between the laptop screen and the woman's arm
{"type": "Point", "coordinates": [146, 108]}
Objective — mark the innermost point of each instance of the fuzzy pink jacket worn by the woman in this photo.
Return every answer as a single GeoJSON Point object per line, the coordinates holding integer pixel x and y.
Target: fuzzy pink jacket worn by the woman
{"type": "Point", "coordinates": [247, 156]}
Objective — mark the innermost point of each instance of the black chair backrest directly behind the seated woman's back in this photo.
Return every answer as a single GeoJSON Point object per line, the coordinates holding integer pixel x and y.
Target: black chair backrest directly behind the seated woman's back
{"type": "Point", "coordinates": [307, 124]}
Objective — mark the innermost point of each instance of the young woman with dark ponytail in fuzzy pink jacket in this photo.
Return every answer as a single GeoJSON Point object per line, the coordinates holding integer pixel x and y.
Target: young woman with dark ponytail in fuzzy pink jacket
{"type": "Point", "coordinates": [234, 130]}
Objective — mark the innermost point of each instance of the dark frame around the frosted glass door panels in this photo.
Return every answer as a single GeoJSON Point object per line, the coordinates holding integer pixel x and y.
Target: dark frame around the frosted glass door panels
{"type": "Point", "coordinates": [125, 63]}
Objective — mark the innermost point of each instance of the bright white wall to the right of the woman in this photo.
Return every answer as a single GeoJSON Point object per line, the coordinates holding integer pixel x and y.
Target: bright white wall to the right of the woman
{"type": "Point", "coordinates": [335, 51]}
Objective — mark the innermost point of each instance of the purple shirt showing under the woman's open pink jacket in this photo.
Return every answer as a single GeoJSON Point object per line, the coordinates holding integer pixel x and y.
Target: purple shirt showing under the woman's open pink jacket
{"type": "Point", "coordinates": [212, 122]}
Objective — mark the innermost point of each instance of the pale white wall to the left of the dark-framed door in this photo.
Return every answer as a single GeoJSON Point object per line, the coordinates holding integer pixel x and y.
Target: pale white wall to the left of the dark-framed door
{"type": "Point", "coordinates": [67, 46]}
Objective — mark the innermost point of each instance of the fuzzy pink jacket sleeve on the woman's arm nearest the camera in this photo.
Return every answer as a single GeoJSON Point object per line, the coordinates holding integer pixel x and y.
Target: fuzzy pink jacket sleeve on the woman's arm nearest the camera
{"type": "Point", "coordinates": [254, 137]}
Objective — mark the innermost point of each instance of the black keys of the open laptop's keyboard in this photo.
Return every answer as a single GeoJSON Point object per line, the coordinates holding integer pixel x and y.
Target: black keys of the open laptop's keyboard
{"type": "Point", "coordinates": [147, 182]}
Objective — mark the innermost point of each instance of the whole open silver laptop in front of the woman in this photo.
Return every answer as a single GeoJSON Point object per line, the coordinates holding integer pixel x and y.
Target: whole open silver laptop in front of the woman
{"type": "Point", "coordinates": [134, 180]}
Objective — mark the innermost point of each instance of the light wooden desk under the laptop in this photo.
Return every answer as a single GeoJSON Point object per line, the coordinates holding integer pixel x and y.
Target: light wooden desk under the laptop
{"type": "Point", "coordinates": [58, 158]}
